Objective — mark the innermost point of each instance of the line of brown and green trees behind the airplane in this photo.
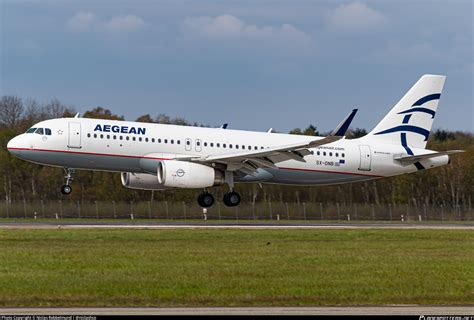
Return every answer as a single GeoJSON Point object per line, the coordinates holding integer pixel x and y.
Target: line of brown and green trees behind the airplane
{"type": "Point", "coordinates": [450, 185]}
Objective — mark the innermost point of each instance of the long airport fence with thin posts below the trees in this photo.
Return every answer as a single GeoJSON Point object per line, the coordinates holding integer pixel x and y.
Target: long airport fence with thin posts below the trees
{"type": "Point", "coordinates": [245, 211]}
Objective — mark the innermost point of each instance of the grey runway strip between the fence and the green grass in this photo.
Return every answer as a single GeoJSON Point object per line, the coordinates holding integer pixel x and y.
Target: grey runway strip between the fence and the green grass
{"type": "Point", "coordinates": [227, 225]}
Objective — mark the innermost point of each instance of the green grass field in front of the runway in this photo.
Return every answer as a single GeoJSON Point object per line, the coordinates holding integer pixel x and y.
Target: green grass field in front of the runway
{"type": "Point", "coordinates": [235, 267]}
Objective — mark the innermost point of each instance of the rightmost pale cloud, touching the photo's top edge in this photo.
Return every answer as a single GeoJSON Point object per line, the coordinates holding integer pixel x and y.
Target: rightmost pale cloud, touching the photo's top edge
{"type": "Point", "coordinates": [354, 17]}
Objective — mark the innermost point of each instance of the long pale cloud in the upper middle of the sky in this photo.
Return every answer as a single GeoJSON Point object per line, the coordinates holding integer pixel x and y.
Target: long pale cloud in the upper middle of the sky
{"type": "Point", "coordinates": [228, 26]}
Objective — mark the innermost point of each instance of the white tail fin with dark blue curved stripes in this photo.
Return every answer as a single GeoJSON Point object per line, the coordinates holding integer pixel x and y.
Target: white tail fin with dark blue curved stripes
{"type": "Point", "coordinates": [409, 122]}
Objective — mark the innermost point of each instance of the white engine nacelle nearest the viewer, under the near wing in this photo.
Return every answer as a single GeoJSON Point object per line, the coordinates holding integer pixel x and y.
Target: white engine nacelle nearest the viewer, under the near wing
{"type": "Point", "coordinates": [185, 174]}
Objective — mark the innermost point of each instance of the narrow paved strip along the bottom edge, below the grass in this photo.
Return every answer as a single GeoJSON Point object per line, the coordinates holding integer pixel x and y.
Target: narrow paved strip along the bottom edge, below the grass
{"type": "Point", "coordinates": [362, 310]}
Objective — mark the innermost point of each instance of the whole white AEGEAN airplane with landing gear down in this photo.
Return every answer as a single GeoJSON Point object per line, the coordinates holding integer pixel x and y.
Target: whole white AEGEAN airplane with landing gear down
{"type": "Point", "coordinates": [159, 156]}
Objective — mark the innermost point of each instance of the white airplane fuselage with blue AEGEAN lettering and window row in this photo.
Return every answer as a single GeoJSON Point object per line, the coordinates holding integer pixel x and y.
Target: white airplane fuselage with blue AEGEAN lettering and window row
{"type": "Point", "coordinates": [96, 144]}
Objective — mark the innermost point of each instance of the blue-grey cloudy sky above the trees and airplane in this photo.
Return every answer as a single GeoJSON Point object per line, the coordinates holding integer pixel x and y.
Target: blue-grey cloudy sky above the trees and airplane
{"type": "Point", "coordinates": [253, 64]}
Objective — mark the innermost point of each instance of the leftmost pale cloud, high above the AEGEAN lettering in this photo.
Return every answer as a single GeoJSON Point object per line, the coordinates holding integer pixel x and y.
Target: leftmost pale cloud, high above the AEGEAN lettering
{"type": "Point", "coordinates": [87, 21]}
